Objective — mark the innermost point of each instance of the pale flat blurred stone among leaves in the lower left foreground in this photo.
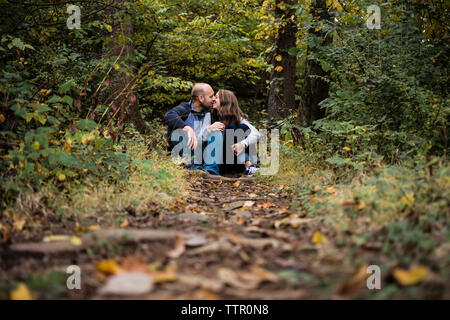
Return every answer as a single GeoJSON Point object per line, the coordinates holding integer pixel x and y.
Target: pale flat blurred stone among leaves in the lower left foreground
{"type": "Point", "coordinates": [127, 284]}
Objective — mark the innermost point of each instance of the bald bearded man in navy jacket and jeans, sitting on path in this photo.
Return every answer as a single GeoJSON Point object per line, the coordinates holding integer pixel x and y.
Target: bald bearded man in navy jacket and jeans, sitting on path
{"type": "Point", "coordinates": [194, 117]}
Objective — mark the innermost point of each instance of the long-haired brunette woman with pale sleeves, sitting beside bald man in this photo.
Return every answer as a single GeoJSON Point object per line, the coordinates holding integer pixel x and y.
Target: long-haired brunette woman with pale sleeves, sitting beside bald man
{"type": "Point", "coordinates": [230, 117]}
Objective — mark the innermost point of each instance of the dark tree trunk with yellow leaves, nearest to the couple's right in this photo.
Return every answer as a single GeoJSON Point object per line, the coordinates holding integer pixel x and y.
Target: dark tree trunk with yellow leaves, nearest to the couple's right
{"type": "Point", "coordinates": [281, 100]}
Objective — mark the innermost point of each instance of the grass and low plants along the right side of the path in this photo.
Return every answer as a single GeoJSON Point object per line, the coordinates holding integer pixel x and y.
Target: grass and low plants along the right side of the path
{"type": "Point", "coordinates": [398, 214]}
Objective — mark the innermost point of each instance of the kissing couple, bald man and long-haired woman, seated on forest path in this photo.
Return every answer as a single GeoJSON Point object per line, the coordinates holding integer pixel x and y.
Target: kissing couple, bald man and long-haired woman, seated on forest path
{"type": "Point", "coordinates": [210, 119]}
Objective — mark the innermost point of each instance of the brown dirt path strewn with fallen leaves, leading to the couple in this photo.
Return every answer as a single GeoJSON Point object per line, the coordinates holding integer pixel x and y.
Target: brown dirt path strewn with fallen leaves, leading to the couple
{"type": "Point", "coordinates": [232, 239]}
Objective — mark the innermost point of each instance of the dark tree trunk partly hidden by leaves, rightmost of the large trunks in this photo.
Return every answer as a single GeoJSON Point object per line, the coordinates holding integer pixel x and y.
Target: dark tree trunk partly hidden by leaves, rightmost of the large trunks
{"type": "Point", "coordinates": [316, 89]}
